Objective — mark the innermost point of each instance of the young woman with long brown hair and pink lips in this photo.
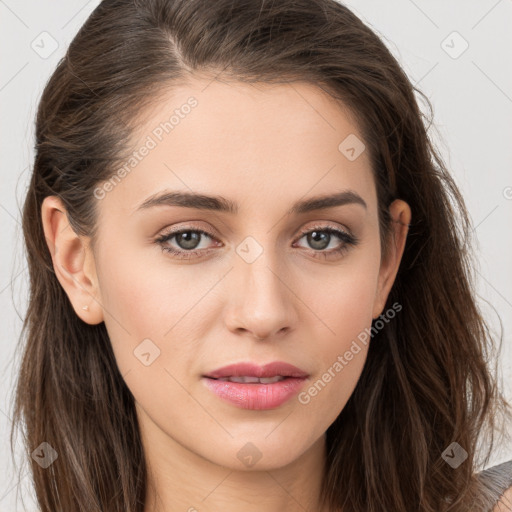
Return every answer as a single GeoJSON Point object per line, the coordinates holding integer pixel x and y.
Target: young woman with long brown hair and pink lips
{"type": "Point", "coordinates": [250, 274]}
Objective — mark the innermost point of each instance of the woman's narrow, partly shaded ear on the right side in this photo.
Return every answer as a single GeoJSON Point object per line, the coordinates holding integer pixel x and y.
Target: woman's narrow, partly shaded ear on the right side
{"type": "Point", "coordinates": [401, 218]}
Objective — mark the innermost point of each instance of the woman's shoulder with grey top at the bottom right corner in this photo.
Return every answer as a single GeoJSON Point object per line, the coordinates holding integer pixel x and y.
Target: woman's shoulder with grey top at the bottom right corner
{"type": "Point", "coordinates": [497, 482]}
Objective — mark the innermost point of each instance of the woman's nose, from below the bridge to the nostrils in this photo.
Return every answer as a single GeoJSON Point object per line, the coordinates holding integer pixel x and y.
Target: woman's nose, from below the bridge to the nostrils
{"type": "Point", "coordinates": [261, 299]}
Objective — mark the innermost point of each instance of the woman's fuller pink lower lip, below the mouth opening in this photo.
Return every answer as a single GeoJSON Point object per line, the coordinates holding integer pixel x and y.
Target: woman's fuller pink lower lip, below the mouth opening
{"type": "Point", "coordinates": [256, 396]}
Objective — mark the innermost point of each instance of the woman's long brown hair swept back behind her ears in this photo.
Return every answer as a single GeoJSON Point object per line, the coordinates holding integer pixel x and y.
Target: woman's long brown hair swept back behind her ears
{"type": "Point", "coordinates": [426, 382]}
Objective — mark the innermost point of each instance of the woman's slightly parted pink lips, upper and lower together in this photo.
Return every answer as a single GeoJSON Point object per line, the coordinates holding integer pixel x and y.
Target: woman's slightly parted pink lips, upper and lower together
{"type": "Point", "coordinates": [256, 396]}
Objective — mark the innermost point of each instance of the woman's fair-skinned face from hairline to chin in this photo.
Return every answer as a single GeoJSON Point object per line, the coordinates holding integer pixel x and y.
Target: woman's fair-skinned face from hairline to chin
{"type": "Point", "coordinates": [187, 289]}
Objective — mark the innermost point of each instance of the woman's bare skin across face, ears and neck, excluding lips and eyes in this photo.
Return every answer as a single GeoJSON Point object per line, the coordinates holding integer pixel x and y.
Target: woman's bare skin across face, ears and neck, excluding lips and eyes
{"type": "Point", "coordinates": [265, 147]}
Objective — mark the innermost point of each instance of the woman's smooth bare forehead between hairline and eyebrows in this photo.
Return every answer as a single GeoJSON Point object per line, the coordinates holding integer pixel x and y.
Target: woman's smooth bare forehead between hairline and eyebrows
{"type": "Point", "coordinates": [252, 142]}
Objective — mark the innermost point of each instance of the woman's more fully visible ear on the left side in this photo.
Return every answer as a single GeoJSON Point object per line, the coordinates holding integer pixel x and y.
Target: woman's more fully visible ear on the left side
{"type": "Point", "coordinates": [73, 261]}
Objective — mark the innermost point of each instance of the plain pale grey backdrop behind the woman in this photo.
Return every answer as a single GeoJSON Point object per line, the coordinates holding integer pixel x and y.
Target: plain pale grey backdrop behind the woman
{"type": "Point", "coordinates": [458, 53]}
